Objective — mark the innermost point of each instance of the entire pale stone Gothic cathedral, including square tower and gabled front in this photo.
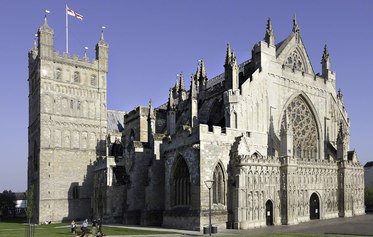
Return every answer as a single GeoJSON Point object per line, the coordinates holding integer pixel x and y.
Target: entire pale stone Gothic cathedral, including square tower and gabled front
{"type": "Point", "coordinates": [270, 134]}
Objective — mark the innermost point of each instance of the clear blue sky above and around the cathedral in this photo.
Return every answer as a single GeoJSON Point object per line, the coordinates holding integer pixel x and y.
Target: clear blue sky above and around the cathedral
{"type": "Point", "coordinates": [152, 41]}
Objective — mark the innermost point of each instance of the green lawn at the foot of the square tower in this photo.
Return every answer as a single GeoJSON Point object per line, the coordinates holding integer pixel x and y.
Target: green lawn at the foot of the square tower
{"type": "Point", "coordinates": [10, 229]}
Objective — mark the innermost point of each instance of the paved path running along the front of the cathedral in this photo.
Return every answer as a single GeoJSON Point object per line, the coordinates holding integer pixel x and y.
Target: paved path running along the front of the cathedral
{"type": "Point", "coordinates": [358, 225]}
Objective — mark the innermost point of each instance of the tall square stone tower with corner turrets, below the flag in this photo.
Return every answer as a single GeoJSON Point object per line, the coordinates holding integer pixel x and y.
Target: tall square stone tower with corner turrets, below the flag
{"type": "Point", "coordinates": [67, 127]}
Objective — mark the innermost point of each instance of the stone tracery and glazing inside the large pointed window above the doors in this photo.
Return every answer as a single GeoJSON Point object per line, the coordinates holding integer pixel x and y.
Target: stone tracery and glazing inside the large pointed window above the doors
{"type": "Point", "coordinates": [305, 133]}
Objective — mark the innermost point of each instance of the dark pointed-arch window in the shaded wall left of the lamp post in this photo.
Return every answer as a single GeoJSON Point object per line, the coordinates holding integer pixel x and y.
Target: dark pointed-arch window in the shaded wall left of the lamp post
{"type": "Point", "coordinates": [180, 183]}
